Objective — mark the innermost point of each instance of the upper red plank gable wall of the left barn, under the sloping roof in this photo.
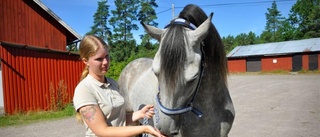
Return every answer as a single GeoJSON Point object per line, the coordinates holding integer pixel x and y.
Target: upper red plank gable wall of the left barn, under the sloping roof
{"type": "Point", "coordinates": [22, 21]}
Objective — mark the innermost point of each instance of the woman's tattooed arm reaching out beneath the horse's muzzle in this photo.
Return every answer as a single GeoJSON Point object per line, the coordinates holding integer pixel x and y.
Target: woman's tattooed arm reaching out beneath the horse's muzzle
{"type": "Point", "coordinates": [94, 118]}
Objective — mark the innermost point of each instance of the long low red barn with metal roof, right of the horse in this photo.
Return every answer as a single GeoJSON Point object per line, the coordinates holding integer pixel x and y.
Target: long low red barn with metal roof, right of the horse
{"type": "Point", "coordinates": [289, 56]}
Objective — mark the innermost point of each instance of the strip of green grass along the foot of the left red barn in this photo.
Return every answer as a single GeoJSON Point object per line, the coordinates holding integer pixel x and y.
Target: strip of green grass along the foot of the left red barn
{"type": "Point", "coordinates": [33, 117]}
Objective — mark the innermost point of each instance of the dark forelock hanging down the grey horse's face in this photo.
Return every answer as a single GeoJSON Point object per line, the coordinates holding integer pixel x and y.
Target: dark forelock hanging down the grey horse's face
{"type": "Point", "coordinates": [173, 52]}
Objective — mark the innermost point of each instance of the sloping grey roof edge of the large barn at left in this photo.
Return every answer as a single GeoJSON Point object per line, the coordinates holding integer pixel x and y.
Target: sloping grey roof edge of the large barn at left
{"type": "Point", "coordinates": [56, 17]}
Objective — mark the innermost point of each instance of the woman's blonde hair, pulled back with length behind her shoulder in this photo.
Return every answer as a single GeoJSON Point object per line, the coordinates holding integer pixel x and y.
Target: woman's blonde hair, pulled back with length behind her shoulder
{"type": "Point", "coordinates": [88, 47]}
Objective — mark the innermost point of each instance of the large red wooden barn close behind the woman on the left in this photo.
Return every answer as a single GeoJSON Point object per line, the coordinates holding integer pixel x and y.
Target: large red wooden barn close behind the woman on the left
{"type": "Point", "coordinates": [34, 59]}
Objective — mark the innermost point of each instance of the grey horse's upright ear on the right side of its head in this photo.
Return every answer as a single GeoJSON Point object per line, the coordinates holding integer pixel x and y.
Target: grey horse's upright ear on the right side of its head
{"type": "Point", "coordinates": [201, 32]}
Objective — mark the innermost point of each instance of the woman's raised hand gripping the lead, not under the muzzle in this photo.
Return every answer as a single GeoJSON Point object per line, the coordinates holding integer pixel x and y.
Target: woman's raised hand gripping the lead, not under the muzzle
{"type": "Point", "coordinates": [147, 111]}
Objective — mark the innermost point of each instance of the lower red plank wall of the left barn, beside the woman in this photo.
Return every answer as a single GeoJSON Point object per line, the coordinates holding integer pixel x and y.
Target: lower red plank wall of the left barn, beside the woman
{"type": "Point", "coordinates": [28, 76]}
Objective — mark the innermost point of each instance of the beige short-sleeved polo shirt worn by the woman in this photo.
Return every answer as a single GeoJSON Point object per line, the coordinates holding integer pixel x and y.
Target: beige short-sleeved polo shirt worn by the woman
{"type": "Point", "coordinates": [90, 91]}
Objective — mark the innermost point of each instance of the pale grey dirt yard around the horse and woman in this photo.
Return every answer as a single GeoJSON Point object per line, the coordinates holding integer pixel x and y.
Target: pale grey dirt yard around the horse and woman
{"type": "Point", "coordinates": [266, 106]}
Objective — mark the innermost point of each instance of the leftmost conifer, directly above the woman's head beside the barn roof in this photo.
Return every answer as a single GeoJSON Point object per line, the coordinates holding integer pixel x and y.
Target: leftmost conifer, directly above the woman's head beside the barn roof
{"type": "Point", "coordinates": [99, 27]}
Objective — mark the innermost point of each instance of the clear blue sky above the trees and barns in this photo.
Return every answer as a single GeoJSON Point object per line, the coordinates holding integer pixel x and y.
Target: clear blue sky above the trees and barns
{"type": "Point", "coordinates": [231, 17]}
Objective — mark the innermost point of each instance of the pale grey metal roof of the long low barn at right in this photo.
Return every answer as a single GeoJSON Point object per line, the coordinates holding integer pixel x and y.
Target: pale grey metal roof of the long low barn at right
{"type": "Point", "coordinates": [277, 48]}
